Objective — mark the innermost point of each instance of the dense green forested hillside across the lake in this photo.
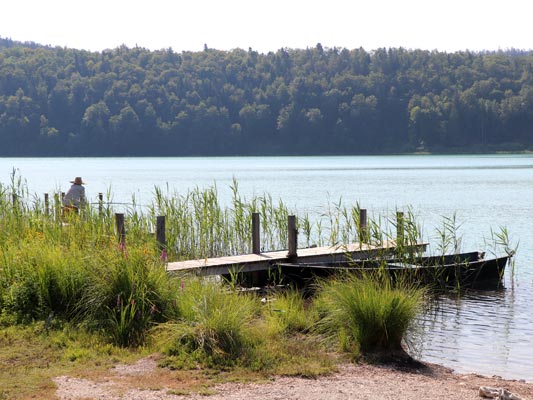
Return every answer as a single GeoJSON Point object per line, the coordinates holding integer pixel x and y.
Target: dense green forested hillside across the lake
{"type": "Point", "coordinates": [132, 101]}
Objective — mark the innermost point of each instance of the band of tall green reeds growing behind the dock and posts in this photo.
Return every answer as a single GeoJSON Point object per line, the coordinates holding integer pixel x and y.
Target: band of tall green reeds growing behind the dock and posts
{"type": "Point", "coordinates": [198, 226]}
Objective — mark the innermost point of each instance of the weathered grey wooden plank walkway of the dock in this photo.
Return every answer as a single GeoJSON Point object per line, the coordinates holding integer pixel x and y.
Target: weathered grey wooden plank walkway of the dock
{"type": "Point", "coordinates": [265, 261]}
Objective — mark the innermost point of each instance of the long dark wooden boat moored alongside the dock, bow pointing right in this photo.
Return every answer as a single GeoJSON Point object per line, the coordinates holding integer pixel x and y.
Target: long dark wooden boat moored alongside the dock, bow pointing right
{"type": "Point", "coordinates": [460, 270]}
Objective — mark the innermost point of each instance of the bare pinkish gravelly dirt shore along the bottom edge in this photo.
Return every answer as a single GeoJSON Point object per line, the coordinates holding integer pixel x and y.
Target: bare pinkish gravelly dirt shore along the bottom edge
{"type": "Point", "coordinates": [363, 381]}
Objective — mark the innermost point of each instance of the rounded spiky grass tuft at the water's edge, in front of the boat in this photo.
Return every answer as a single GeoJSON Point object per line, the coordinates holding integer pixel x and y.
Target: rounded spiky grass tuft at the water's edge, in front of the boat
{"type": "Point", "coordinates": [367, 314]}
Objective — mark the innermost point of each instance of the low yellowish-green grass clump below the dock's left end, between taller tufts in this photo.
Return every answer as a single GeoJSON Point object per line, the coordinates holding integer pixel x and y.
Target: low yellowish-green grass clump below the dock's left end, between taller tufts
{"type": "Point", "coordinates": [211, 325]}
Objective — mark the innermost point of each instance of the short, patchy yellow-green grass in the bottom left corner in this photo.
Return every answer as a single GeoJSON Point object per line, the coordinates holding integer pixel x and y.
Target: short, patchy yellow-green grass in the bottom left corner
{"type": "Point", "coordinates": [31, 356]}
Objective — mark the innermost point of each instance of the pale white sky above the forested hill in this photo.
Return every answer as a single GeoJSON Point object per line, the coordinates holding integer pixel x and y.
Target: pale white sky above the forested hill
{"type": "Point", "coordinates": [445, 25]}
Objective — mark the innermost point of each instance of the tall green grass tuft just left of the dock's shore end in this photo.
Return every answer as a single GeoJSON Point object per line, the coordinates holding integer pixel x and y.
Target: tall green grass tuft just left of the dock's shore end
{"type": "Point", "coordinates": [128, 294]}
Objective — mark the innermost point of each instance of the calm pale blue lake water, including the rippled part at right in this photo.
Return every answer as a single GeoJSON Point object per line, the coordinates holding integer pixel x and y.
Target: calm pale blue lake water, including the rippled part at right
{"type": "Point", "coordinates": [488, 332]}
